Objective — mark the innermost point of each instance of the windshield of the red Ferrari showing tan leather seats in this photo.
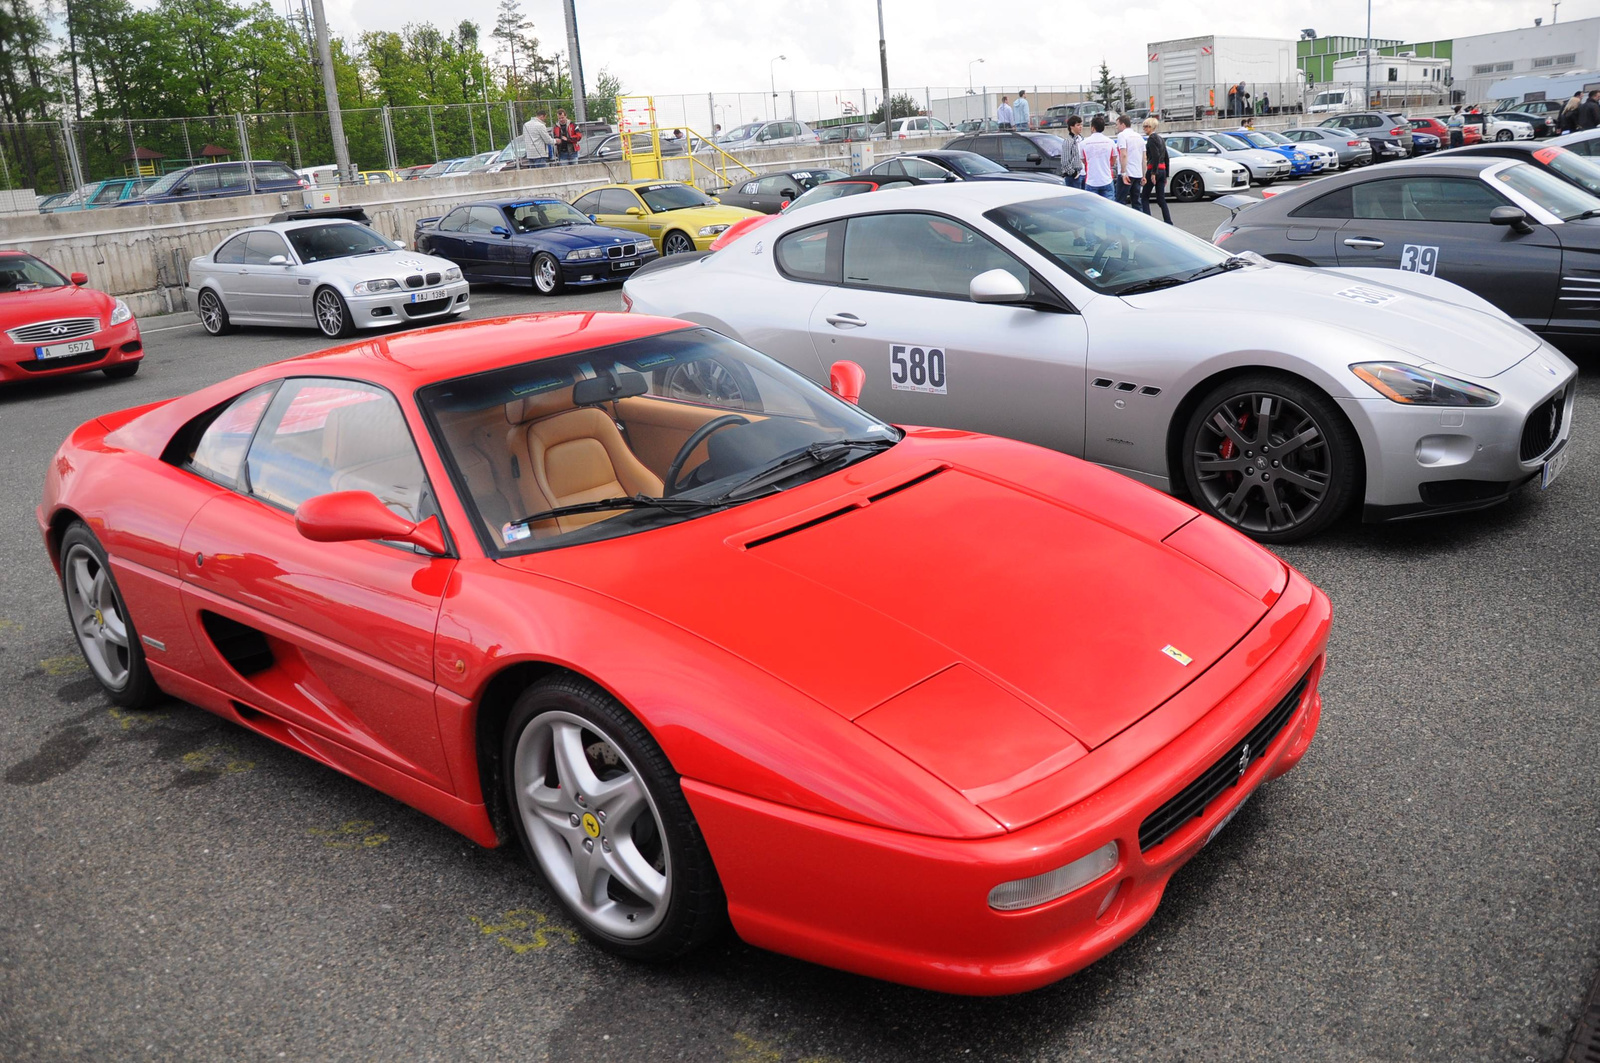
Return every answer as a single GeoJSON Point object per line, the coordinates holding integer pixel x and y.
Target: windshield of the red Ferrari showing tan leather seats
{"type": "Point", "coordinates": [639, 411]}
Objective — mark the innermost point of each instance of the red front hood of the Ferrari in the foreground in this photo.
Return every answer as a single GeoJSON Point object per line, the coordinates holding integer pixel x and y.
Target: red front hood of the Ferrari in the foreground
{"type": "Point", "coordinates": [942, 606]}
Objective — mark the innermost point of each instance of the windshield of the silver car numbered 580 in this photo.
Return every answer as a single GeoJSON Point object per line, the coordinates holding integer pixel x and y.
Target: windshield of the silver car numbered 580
{"type": "Point", "coordinates": [1108, 247]}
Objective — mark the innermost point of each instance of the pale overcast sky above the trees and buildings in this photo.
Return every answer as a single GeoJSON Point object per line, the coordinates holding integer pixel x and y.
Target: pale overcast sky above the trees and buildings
{"type": "Point", "coordinates": [724, 46]}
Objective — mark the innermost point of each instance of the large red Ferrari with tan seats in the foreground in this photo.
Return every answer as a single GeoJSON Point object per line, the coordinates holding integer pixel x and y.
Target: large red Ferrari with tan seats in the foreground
{"type": "Point", "coordinates": [706, 641]}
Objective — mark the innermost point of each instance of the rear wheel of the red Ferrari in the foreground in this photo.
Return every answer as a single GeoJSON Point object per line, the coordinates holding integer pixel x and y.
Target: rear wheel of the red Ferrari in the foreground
{"type": "Point", "coordinates": [102, 624]}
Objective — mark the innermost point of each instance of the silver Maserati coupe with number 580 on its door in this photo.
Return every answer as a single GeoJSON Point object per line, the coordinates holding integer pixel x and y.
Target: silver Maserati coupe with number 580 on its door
{"type": "Point", "coordinates": [1271, 396]}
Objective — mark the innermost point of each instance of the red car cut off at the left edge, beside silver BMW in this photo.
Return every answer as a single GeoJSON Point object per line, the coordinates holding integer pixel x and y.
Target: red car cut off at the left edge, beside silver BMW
{"type": "Point", "coordinates": [52, 326]}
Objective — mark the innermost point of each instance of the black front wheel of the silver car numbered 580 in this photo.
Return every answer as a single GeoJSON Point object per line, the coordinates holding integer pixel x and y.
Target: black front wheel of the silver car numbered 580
{"type": "Point", "coordinates": [1236, 475]}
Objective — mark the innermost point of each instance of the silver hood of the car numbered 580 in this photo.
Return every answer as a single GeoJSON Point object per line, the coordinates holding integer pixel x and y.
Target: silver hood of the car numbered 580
{"type": "Point", "coordinates": [1430, 319]}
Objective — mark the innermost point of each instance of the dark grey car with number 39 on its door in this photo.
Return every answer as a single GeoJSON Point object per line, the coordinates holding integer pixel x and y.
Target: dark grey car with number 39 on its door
{"type": "Point", "coordinates": [1516, 236]}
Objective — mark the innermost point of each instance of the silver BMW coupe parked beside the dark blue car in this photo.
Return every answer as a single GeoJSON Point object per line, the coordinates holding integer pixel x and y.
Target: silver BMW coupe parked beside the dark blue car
{"type": "Point", "coordinates": [329, 275]}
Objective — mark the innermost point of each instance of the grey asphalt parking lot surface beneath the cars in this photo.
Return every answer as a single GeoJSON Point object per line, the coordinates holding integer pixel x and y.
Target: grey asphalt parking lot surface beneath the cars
{"type": "Point", "coordinates": [1425, 886]}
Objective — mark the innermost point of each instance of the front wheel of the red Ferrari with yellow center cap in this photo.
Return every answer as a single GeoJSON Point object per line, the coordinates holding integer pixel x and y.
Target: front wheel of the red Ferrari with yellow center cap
{"type": "Point", "coordinates": [652, 891]}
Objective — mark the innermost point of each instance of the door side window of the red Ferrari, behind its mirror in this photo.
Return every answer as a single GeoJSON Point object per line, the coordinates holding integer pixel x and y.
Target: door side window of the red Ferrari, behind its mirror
{"type": "Point", "coordinates": [329, 436]}
